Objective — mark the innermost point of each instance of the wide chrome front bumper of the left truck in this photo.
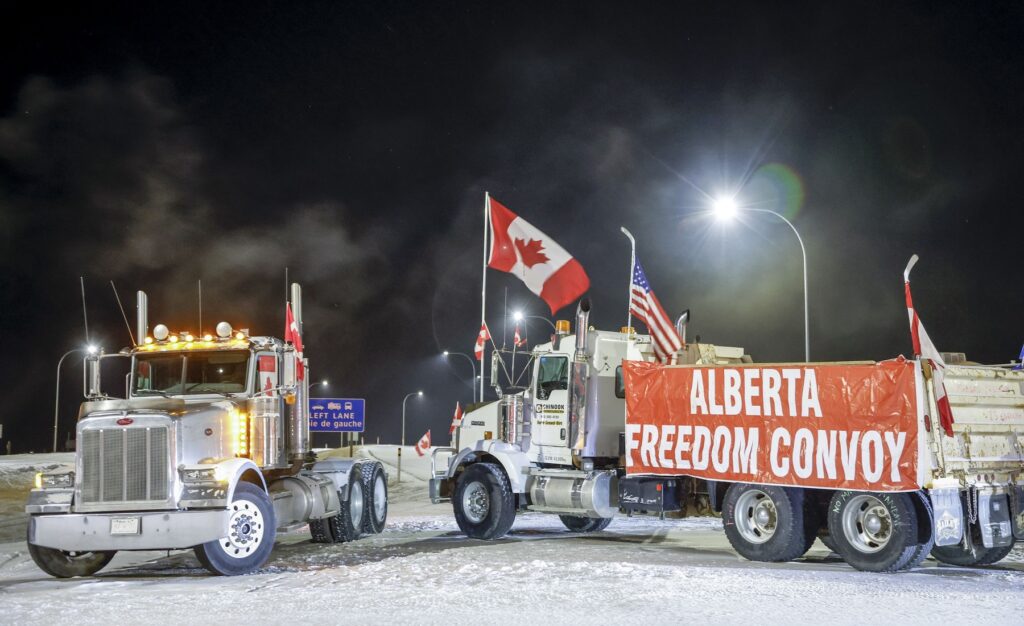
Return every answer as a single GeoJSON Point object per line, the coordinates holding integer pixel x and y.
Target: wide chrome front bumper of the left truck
{"type": "Point", "coordinates": [158, 531]}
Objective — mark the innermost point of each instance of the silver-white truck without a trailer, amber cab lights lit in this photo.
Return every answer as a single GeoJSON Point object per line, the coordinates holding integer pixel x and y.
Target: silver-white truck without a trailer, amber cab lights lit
{"type": "Point", "coordinates": [209, 450]}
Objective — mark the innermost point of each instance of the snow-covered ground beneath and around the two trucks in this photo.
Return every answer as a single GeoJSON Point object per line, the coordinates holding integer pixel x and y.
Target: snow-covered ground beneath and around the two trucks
{"type": "Point", "coordinates": [423, 570]}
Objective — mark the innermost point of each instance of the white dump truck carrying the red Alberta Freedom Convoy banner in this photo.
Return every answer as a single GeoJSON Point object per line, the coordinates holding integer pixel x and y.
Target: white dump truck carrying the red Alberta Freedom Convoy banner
{"type": "Point", "coordinates": [784, 452]}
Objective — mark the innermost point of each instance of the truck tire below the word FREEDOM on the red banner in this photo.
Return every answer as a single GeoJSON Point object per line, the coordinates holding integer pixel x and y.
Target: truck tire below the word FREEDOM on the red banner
{"type": "Point", "coordinates": [765, 523]}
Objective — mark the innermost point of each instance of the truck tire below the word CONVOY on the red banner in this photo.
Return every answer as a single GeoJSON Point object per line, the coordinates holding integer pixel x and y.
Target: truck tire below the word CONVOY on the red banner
{"type": "Point", "coordinates": [874, 532]}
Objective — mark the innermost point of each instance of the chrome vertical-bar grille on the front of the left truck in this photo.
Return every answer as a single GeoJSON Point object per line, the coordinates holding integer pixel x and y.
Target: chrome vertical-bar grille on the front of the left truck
{"type": "Point", "coordinates": [124, 465]}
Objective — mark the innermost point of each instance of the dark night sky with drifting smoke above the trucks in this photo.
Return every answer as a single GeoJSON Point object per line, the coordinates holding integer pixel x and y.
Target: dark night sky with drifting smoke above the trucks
{"type": "Point", "coordinates": [155, 146]}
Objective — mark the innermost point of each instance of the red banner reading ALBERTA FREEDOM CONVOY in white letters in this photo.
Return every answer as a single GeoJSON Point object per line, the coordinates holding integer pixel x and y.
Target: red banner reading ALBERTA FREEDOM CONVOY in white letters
{"type": "Point", "coordinates": [842, 427]}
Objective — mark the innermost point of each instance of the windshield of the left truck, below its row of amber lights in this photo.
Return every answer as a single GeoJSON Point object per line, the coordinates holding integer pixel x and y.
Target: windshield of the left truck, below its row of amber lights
{"type": "Point", "coordinates": [191, 373]}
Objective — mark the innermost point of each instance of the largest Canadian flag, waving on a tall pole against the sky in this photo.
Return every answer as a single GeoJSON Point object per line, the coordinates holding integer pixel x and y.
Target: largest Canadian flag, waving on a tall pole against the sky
{"type": "Point", "coordinates": [520, 248]}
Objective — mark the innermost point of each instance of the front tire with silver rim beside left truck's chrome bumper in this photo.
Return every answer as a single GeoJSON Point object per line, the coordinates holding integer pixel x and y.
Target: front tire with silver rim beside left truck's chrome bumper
{"type": "Point", "coordinates": [249, 537]}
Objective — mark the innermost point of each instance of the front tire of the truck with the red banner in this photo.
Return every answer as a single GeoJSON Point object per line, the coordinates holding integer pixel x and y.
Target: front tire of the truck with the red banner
{"type": "Point", "coordinates": [484, 503]}
